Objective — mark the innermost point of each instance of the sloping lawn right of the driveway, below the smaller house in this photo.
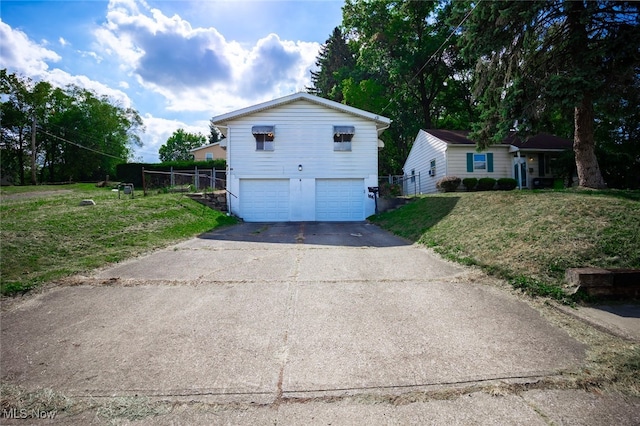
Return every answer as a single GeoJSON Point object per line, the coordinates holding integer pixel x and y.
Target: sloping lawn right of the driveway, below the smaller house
{"type": "Point", "coordinates": [529, 238]}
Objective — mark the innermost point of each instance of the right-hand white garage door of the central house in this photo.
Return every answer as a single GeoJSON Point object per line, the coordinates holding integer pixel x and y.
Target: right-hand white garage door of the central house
{"type": "Point", "coordinates": [340, 199]}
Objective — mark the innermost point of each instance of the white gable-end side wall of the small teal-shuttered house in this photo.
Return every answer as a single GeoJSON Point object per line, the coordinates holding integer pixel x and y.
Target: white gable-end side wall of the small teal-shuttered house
{"type": "Point", "coordinates": [425, 148]}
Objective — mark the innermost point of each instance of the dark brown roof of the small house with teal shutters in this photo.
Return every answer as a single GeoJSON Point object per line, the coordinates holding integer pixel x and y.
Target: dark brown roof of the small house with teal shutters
{"type": "Point", "coordinates": [539, 141]}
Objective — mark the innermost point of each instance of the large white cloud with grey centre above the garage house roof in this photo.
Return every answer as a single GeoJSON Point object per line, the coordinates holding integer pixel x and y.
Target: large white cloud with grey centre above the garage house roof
{"type": "Point", "coordinates": [197, 69]}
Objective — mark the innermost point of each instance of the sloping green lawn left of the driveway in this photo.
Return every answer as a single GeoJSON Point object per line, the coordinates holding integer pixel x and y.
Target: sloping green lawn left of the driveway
{"type": "Point", "coordinates": [46, 235]}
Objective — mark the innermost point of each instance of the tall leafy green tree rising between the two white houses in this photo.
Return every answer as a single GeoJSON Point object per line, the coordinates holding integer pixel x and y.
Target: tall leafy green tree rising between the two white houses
{"type": "Point", "coordinates": [407, 58]}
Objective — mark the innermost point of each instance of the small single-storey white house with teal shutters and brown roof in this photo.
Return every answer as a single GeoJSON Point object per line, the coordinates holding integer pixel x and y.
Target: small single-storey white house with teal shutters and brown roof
{"type": "Point", "coordinates": [439, 153]}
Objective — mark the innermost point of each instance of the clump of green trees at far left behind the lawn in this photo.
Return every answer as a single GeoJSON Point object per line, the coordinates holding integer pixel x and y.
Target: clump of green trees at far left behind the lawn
{"type": "Point", "coordinates": [78, 134]}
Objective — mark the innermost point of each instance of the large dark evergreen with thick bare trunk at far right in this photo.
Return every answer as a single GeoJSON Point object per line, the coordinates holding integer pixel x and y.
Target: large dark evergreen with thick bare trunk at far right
{"type": "Point", "coordinates": [535, 59]}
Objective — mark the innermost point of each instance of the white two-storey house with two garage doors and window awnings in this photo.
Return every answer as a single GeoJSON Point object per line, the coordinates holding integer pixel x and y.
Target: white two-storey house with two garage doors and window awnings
{"type": "Point", "coordinates": [301, 158]}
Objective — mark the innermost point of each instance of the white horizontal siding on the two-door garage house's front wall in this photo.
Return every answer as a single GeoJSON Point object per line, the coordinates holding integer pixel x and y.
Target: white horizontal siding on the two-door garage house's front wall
{"type": "Point", "coordinates": [303, 136]}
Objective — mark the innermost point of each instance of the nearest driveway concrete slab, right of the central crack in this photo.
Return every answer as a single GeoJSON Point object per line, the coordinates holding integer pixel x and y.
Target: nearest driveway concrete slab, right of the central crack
{"type": "Point", "coordinates": [358, 336]}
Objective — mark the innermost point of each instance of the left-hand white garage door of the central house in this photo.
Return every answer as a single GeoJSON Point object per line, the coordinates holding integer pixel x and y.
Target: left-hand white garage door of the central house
{"type": "Point", "coordinates": [264, 200]}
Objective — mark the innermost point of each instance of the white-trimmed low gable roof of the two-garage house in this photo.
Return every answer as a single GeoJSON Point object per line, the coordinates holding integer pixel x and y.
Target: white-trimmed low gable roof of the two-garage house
{"type": "Point", "coordinates": [381, 122]}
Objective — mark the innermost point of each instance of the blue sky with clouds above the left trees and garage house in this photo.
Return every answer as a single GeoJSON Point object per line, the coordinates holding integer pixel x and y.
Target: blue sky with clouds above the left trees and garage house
{"type": "Point", "coordinates": [178, 63]}
